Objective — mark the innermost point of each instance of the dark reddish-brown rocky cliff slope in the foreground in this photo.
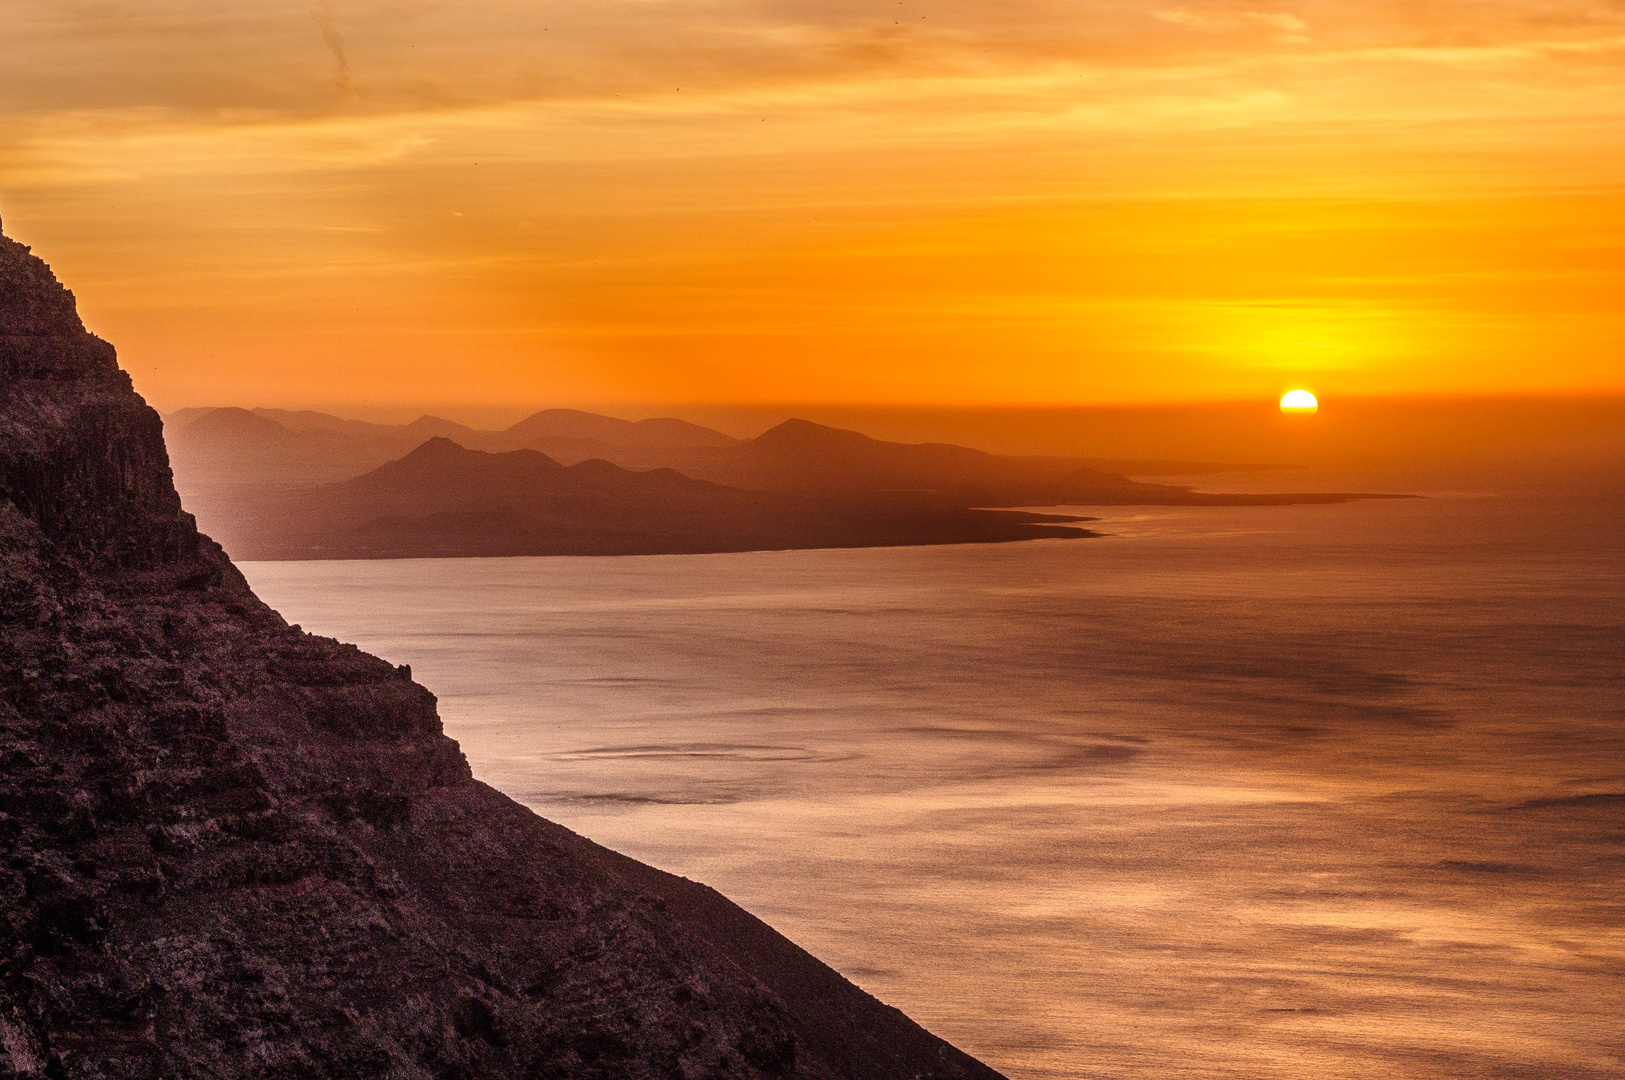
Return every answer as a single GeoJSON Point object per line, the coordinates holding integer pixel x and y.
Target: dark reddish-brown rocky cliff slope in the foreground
{"type": "Point", "coordinates": [230, 849]}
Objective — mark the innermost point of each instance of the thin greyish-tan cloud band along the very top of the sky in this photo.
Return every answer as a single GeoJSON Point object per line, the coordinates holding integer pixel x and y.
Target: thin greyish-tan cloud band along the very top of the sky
{"type": "Point", "coordinates": [254, 54]}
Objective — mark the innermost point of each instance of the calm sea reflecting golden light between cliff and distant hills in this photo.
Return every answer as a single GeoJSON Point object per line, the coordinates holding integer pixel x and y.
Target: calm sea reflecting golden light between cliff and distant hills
{"type": "Point", "coordinates": [1312, 792]}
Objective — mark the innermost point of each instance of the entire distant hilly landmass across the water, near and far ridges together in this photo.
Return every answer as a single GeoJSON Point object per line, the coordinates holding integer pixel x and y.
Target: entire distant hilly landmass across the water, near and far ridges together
{"type": "Point", "coordinates": [275, 485]}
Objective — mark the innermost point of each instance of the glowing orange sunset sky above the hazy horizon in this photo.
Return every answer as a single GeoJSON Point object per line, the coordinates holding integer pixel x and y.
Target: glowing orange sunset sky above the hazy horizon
{"type": "Point", "coordinates": [524, 204]}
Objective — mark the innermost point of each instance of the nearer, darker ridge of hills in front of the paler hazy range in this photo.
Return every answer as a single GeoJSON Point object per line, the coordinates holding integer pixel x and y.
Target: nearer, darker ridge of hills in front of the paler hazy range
{"type": "Point", "coordinates": [449, 501]}
